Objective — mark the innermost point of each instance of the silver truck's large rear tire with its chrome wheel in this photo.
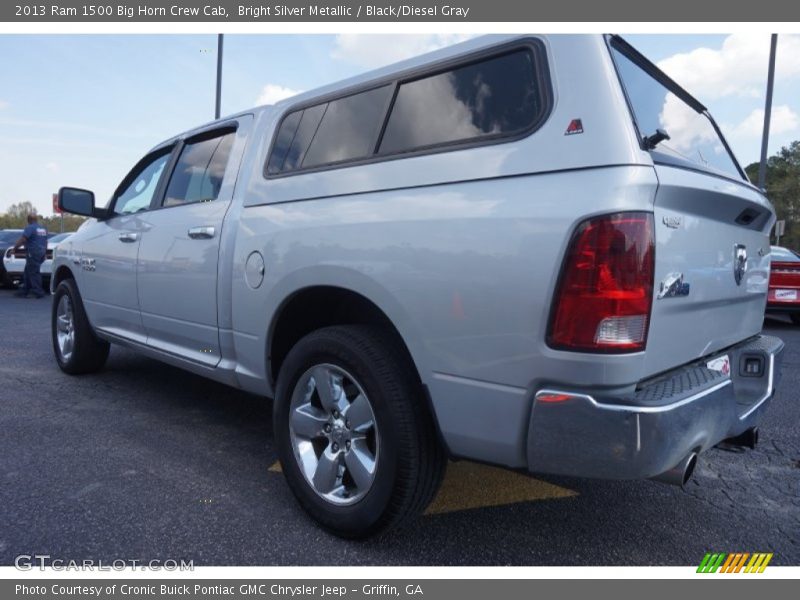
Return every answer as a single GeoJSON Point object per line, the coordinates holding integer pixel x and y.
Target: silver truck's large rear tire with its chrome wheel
{"type": "Point", "coordinates": [355, 437]}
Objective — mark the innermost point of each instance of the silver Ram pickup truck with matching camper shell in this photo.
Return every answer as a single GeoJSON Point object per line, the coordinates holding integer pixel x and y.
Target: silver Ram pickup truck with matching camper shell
{"type": "Point", "coordinates": [533, 251]}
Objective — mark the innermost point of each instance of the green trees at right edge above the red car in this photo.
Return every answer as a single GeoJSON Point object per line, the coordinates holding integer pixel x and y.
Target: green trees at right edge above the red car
{"type": "Point", "coordinates": [783, 190]}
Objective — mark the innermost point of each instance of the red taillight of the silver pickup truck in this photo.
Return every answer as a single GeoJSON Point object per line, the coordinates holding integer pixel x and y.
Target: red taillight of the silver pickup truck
{"type": "Point", "coordinates": [604, 296]}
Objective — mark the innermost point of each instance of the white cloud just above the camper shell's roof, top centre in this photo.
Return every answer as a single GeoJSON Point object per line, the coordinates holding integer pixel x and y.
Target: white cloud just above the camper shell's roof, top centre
{"type": "Point", "coordinates": [371, 51]}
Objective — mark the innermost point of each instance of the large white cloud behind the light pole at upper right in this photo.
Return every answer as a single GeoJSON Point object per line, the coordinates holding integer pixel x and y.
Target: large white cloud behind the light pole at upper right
{"type": "Point", "coordinates": [738, 68]}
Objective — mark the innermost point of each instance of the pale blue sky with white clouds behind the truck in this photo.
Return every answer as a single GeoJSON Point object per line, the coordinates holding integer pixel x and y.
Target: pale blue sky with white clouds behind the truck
{"type": "Point", "coordinates": [80, 110]}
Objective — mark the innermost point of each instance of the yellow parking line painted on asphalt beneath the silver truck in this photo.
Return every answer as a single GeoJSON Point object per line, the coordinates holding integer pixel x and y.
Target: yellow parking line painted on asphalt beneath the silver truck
{"type": "Point", "coordinates": [469, 485]}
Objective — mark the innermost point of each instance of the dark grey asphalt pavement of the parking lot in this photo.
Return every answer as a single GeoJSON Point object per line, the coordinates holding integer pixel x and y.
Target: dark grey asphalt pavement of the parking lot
{"type": "Point", "coordinates": [144, 461]}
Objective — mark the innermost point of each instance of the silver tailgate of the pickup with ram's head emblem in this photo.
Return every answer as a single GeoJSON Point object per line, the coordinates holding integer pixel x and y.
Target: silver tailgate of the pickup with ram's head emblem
{"type": "Point", "coordinates": [712, 266]}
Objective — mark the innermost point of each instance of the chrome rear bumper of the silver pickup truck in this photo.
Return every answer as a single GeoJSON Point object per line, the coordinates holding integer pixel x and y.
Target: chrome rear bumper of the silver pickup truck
{"type": "Point", "coordinates": [587, 434]}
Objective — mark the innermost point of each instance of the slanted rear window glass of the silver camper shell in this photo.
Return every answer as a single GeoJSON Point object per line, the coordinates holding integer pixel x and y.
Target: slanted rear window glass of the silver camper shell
{"type": "Point", "coordinates": [692, 134]}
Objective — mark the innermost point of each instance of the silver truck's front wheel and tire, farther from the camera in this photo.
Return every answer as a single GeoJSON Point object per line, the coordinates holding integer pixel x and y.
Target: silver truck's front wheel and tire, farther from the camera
{"type": "Point", "coordinates": [77, 349]}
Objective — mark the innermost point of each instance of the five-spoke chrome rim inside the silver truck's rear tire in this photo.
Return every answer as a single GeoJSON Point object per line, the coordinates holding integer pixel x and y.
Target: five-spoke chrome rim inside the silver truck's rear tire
{"type": "Point", "coordinates": [334, 434]}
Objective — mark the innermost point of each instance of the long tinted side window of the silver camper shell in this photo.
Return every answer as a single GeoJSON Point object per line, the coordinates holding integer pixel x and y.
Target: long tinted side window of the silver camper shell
{"type": "Point", "coordinates": [478, 99]}
